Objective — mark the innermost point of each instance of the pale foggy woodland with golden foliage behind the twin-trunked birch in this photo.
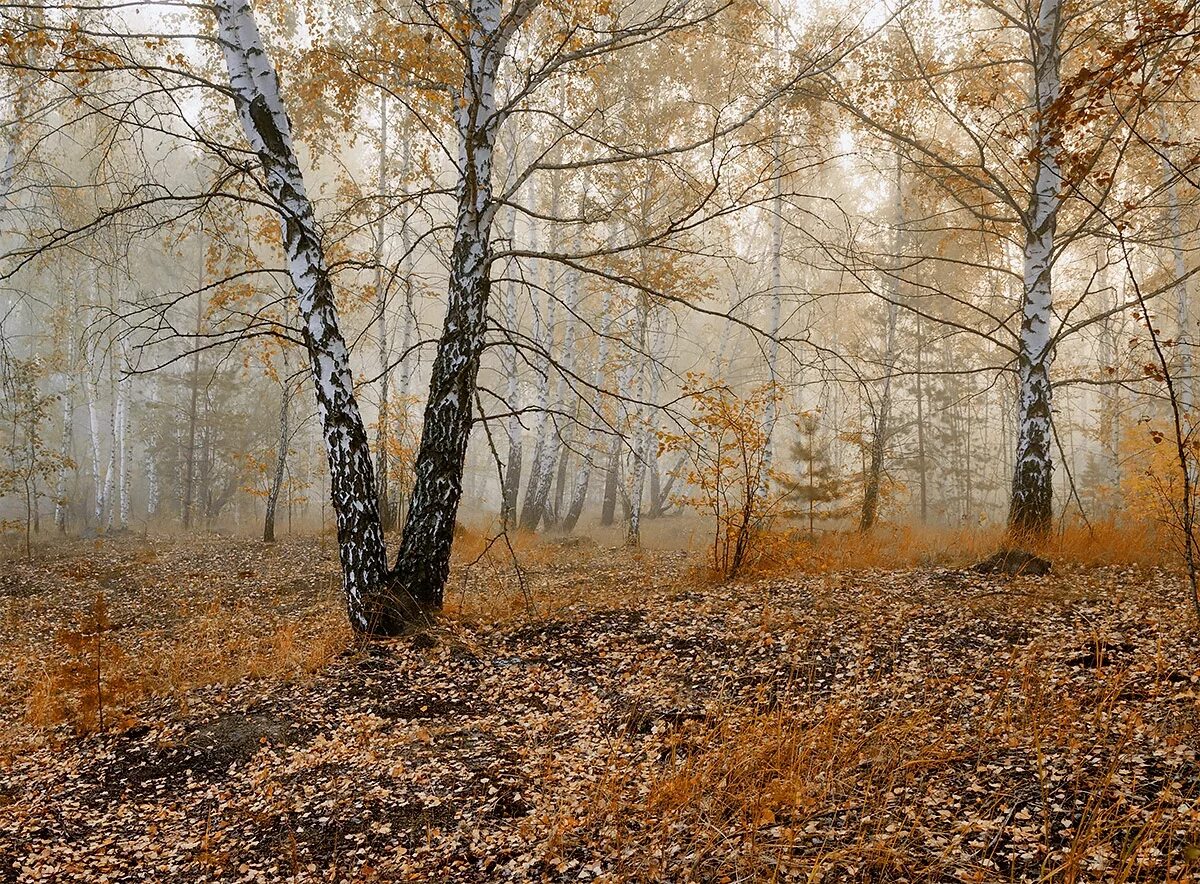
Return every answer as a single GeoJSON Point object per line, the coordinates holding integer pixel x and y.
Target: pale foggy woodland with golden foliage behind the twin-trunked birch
{"type": "Point", "coordinates": [835, 222]}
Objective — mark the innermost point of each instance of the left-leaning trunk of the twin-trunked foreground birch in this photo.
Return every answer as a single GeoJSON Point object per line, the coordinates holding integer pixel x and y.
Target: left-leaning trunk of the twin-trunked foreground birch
{"type": "Point", "coordinates": [261, 110]}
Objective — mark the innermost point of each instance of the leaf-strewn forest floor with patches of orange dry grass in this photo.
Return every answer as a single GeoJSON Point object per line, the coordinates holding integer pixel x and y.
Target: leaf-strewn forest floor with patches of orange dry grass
{"type": "Point", "coordinates": [617, 719]}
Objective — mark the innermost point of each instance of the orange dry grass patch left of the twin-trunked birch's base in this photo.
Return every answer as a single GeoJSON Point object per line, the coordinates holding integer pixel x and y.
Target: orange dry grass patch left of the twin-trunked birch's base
{"type": "Point", "coordinates": [181, 616]}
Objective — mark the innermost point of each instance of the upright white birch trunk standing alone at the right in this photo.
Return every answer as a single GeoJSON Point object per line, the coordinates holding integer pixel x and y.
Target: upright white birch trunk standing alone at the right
{"type": "Point", "coordinates": [1033, 501]}
